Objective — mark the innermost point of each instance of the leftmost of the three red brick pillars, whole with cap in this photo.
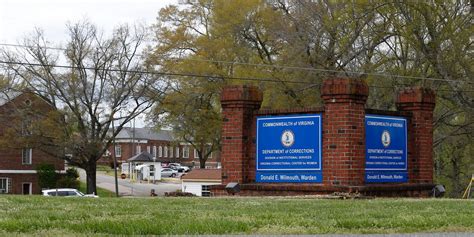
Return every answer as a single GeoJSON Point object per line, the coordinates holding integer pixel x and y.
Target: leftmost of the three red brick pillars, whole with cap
{"type": "Point", "coordinates": [239, 104]}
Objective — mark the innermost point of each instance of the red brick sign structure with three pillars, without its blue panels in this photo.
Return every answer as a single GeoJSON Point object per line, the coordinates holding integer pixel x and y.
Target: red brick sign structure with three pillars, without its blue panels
{"type": "Point", "coordinates": [343, 142]}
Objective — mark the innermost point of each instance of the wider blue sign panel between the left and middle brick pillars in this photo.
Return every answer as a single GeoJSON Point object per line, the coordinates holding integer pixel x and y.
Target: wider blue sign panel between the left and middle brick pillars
{"type": "Point", "coordinates": [289, 149]}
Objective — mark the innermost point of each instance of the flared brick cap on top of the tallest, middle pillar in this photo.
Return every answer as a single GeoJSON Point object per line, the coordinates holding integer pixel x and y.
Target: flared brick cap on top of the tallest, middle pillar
{"type": "Point", "coordinates": [337, 89]}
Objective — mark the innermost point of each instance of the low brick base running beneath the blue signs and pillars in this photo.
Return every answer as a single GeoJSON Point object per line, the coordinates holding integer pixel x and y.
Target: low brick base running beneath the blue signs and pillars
{"type": "Point", "coordinates": [373, 190]}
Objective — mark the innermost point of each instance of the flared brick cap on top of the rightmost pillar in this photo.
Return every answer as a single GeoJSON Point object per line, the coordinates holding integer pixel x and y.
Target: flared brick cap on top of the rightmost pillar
{"type": "Point", "coordinates": [416, 98]}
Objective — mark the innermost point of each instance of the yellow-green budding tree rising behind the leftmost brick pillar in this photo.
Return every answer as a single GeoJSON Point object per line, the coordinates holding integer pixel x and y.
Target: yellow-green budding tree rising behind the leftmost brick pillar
{"type": "Point", "coordinates": [222, 39]}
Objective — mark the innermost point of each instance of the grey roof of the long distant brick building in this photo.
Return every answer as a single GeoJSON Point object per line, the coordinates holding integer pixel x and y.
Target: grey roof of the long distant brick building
{"type": "Point", "coordinates": [145, 134]}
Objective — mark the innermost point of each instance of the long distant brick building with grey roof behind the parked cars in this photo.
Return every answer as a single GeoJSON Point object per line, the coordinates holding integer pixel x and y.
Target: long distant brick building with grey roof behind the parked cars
{"type": "Point", "coordinates": [161, 144]}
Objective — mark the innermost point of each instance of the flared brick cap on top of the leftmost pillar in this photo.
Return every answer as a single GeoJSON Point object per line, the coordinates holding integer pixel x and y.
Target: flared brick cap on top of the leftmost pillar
{"type": "Point", "coordinates": [239, 94]}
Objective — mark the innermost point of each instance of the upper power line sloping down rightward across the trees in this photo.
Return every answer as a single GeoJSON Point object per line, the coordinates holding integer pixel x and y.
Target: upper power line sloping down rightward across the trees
{"type": "Point", "coordinates": [379, 74]}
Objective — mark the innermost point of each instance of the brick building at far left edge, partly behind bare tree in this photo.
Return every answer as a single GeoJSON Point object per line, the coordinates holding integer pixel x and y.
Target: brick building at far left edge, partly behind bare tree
{"type": "Point", "coordinates": [18, 166]}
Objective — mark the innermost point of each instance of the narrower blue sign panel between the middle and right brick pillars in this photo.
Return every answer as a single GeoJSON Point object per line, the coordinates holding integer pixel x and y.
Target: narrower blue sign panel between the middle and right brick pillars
{"type": "Point", "coordinates": [386, 149]}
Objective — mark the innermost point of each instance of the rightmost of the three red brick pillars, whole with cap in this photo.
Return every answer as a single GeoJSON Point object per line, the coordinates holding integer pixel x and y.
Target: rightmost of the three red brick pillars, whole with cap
{"type": "Point", "coordinates": [420, 102]}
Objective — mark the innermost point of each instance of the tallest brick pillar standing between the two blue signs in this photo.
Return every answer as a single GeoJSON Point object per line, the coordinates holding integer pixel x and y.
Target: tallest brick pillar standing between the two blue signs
{"type": "Point", "coordinates": [344, 131]}
